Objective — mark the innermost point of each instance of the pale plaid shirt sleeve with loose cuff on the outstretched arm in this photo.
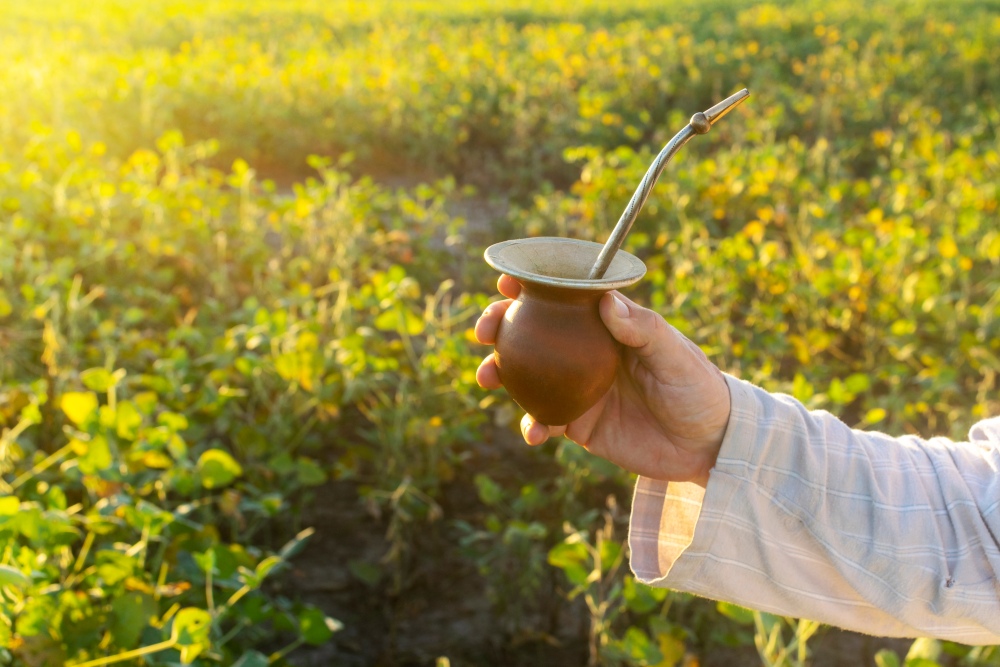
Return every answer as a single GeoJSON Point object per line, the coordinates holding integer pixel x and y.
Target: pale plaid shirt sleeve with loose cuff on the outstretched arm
{"type": "Point", "coordinates": [805, 517]}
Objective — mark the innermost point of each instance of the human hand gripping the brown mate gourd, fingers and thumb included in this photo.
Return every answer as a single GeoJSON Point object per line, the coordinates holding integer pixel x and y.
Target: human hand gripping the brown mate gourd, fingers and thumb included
{"type": "Point", "coordinates": [667, 411]}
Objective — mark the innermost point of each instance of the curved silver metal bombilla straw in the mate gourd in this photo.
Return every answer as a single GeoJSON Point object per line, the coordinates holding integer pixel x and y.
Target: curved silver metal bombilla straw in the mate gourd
{"type": "Point", "coordinates": [700, 123]}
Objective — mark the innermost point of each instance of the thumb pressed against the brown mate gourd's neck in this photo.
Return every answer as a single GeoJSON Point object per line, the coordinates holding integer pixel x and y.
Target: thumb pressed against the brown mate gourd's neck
{"type": "Point", "coordinates": [658, 344]}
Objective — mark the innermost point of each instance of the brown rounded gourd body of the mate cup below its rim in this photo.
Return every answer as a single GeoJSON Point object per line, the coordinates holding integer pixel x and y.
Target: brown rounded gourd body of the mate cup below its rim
{"type": "Point", "coordinates": [555, 356]}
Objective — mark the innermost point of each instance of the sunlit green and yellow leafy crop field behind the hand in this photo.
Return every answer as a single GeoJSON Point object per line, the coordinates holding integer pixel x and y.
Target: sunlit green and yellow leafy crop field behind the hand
{"type": "Point", "coordinates": [240, 260]}
